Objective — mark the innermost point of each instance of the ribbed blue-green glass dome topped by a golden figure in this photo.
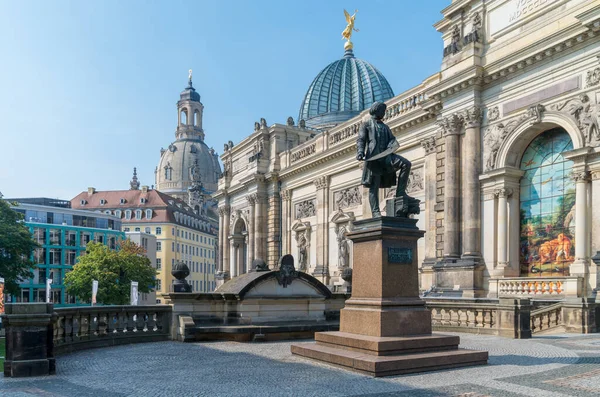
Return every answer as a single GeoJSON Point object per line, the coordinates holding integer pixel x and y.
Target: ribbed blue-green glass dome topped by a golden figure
{"type": "Point", "coordinates": [342, 90]}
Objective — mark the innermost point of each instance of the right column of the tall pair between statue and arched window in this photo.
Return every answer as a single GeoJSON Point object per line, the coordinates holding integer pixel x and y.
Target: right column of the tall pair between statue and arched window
{"type": "Point", "coordinates": [471, 203]}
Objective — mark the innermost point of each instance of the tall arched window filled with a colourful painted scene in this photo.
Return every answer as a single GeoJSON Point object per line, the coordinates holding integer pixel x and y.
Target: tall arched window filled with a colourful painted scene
{"type": "Point", "coordinates": [547, 206]}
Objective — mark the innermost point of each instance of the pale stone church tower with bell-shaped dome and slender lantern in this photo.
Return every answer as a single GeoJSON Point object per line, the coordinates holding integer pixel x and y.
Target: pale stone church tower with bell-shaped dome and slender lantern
{"type": "Point", "coordinates": [188, 160]}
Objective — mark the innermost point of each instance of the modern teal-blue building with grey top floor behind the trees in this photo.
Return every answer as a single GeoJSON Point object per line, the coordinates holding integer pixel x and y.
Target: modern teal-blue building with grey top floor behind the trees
{"type": "Point", "coordinates": [63, 235]}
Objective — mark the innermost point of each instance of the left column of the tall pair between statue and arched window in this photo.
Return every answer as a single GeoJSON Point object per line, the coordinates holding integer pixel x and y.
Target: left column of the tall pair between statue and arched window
{"type": "Point", "coordinates": [451, 128]}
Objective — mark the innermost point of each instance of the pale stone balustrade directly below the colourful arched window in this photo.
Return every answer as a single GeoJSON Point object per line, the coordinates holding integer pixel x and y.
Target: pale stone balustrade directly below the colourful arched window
{"type": "Point", "coordinates": [539, 287]}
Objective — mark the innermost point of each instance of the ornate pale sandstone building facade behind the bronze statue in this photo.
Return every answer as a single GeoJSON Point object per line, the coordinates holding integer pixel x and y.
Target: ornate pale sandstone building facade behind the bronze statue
{"type": "Point", "coordinates": [505, 148]}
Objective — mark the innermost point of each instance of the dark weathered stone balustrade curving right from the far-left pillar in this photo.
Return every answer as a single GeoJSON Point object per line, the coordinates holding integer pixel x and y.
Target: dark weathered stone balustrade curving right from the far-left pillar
{"type": "Point", "coordinates": [87, 327]}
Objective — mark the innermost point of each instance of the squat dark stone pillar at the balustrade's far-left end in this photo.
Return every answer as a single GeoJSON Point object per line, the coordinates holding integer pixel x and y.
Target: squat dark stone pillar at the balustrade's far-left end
{"type": "Point", "coordinates": [29, 339]}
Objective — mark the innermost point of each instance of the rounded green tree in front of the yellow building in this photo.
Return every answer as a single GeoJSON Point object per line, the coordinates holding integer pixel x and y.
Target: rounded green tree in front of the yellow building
{"type": "Point", "coordinates": [114, 271]}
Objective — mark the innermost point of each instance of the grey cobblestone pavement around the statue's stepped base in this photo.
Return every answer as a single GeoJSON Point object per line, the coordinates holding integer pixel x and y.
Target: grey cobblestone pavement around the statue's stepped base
{"type": "Point", "coordinates": [549, 366]}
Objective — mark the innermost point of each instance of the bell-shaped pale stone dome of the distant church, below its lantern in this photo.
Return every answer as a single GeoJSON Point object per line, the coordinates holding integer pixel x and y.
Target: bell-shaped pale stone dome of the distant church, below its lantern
{"type": "Point", "coordinates": [174, 174]}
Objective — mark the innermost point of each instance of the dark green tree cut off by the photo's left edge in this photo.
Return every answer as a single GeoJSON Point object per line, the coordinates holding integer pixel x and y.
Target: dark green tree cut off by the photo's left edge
{"type": "Point", "coordinates": [16, 246]}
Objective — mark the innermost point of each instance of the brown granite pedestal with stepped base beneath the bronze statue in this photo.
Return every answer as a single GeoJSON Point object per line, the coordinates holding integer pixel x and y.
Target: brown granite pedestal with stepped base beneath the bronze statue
{"type": "Point", "coordinates": [385, 328]}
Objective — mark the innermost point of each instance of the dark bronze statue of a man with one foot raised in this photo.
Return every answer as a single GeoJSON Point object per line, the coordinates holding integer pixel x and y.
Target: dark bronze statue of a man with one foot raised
{"type": "Point", "coordinates": [376, 145]}
